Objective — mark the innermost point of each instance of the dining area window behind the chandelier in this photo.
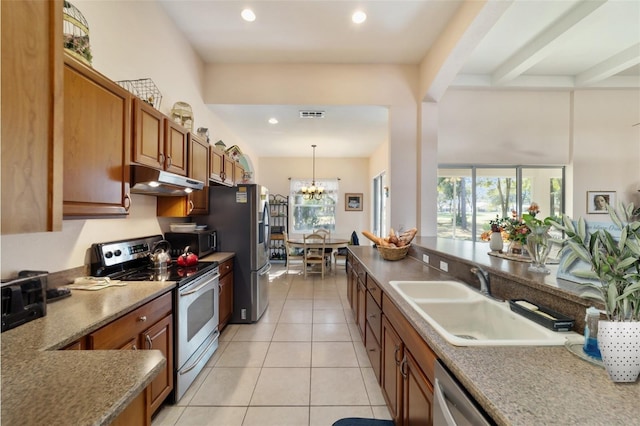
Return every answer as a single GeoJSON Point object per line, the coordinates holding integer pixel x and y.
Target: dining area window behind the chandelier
{"type": "Point", "coordinates": [307, 215]}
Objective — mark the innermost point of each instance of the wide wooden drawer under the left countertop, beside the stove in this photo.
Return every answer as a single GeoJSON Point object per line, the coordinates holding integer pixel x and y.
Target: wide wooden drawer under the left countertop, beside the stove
{"type": "Point", "coordinates": [127, 327]}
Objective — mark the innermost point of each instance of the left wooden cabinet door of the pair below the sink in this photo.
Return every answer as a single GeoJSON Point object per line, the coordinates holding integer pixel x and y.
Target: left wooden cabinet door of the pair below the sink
{"type": "Point", "coordinates": [390, 377]}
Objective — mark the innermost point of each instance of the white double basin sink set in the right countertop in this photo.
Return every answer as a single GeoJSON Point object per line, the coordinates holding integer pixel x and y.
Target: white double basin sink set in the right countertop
{"type": "Point", "coordinates": [465, 317]}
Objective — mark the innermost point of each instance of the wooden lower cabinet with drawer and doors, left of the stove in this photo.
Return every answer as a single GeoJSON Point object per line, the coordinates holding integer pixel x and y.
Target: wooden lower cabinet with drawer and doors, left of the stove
{"type": "Point", "coordinates": [148, 327]}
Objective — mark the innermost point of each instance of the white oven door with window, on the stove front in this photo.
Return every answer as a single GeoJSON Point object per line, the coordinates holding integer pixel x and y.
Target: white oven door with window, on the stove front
{"type": "Point", "coordinates": [197, 314]}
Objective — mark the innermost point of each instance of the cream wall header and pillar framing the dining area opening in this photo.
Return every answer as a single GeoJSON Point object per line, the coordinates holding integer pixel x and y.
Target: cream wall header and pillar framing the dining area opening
{"type": "Point", "coordinates": [394, 86]}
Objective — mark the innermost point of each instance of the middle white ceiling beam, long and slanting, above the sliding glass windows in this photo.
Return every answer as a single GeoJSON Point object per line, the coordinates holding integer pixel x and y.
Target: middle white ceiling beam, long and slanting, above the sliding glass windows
{"type": "Point", "coordinates": [541, 46]}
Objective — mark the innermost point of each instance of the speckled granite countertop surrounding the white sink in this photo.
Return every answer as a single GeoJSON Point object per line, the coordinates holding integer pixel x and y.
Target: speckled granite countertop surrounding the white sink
{"type": "Point", "coordinates": [515, 385]}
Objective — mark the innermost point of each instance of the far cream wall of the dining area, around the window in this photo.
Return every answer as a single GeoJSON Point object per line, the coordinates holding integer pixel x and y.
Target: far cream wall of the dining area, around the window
{"type": "Point", "coordinates": [352, 172]}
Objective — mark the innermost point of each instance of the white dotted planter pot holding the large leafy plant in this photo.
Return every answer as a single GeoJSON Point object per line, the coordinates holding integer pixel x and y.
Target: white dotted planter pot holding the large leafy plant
{"type": "Point", "coordinates": [619, 344]}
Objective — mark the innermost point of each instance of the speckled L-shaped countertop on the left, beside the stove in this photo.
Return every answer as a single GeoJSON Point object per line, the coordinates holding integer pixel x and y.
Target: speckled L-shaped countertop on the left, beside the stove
{"type": "Point", "coordinates": [43, 385]}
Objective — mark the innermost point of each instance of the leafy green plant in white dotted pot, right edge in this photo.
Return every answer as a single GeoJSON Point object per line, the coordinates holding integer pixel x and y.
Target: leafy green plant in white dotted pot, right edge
{"type": "Point", "coordinates": [614, 274]}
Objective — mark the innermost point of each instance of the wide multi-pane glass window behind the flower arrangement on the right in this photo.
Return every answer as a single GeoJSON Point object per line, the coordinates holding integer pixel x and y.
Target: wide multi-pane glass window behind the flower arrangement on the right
{"type": "Point", "coordinates": [470, 196]}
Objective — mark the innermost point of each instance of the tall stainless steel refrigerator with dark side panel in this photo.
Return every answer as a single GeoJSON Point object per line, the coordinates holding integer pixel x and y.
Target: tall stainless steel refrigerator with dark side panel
{"type": "Point", "coordinates": [240, 217]}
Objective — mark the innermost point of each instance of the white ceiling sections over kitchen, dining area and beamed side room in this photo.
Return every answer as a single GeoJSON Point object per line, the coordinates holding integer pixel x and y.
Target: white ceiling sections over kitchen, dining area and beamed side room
{"type": "Point", "coordinates": [545, 44]}
